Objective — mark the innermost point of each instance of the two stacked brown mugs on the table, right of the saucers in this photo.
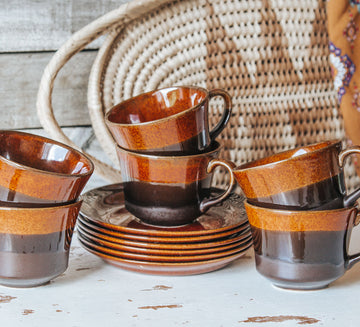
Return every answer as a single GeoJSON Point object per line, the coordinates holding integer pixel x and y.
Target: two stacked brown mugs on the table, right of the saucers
{"type": "Point", "coordinates": [300, 214]}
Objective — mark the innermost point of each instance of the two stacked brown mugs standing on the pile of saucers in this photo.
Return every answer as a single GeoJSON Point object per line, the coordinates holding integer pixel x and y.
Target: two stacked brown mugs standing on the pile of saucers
{"type": "Point", "coordinates": [167, 153]}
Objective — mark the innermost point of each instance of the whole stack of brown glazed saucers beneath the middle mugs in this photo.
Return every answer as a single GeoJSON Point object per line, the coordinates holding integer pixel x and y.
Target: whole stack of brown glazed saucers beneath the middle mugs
{"type": "Point", "coordinates": [212, 241]}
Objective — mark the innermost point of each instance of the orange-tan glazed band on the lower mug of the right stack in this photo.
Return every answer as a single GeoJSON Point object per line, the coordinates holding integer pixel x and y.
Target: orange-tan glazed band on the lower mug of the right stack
{"type": "Point", "coordinates": [300, 221]}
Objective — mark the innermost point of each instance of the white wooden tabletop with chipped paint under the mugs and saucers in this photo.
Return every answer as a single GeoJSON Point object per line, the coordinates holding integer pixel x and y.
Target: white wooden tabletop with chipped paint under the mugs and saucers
{"type": "Point", "coordinates": [93, 293]}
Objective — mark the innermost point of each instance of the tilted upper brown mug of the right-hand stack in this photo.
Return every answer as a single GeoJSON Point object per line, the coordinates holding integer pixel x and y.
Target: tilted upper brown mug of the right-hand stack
{"type": "Point", "coordinates": [304, 178]}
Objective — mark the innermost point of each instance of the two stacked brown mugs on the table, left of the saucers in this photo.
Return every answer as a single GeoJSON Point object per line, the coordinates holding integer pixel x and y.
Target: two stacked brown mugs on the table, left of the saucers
{"type": "Point", "coordinates": [40, 183]}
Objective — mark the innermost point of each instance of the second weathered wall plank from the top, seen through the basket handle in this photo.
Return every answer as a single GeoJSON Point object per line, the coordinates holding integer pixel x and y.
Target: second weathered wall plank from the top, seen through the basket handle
{"type": "Point", "coordinates": [20, 76]}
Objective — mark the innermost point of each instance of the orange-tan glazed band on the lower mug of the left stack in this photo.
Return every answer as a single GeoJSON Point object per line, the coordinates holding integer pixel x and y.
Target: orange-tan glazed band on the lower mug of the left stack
{"type": "Point", "coordinates": [35, 221]}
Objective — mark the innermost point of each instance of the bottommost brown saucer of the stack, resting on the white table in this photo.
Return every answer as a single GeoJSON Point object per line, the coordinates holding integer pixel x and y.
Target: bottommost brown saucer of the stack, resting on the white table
{"type": "Point", "coordinates": [166, 268]}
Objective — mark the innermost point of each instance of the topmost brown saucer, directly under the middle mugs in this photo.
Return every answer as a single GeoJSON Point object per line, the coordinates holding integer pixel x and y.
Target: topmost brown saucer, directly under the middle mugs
{"type": "Point", "coordinates": [105, 207]}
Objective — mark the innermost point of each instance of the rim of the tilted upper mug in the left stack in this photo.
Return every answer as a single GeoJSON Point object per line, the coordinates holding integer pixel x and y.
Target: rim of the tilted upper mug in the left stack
{"type": "Point", "coordinates": [44, 139]}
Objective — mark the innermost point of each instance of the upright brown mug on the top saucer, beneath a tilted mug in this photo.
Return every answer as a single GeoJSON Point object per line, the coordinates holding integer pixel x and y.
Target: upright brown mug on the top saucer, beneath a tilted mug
{"type": "Point", "coordinates": [170, 190]}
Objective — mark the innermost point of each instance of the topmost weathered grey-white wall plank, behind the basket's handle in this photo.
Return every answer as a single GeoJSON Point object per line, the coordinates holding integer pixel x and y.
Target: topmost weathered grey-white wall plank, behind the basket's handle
{"type": "Point", "coordinates": [44, 25]}
